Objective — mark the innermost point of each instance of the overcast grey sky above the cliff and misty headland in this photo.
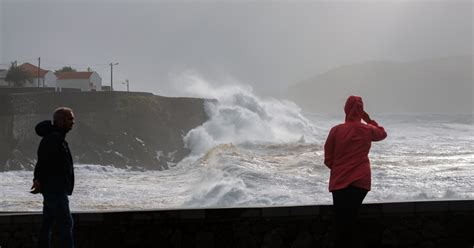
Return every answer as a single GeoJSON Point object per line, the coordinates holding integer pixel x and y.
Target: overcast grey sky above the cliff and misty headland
{"type": "Point", "coordinates": [266, 44]}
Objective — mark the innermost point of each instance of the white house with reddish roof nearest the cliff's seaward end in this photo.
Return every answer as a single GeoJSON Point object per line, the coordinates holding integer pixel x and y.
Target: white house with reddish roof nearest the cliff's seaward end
{"type": "Point", "coordinates": [84, 80]}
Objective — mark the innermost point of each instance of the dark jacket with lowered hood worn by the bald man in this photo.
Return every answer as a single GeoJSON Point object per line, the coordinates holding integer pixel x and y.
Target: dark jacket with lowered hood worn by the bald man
{"type": "Point", "coordinates": [54, 169]}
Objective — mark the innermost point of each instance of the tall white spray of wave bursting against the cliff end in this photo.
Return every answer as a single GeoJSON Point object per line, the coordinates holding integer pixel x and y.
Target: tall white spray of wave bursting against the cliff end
{"type": "Point", "coordinates": [239, 116]}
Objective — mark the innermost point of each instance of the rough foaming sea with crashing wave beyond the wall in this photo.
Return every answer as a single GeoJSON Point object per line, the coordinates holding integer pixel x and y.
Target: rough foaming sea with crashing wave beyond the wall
{"type": "Point", "coordinates": [267, 152]}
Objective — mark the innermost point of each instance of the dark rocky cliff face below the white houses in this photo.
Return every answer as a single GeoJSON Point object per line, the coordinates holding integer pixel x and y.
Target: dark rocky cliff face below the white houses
{"type": "Point", "coordinates": [112, 128]}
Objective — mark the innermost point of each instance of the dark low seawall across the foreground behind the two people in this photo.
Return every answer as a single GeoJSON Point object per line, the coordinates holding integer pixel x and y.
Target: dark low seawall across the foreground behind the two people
{"type": "Point", "coordinates": [408, 224]}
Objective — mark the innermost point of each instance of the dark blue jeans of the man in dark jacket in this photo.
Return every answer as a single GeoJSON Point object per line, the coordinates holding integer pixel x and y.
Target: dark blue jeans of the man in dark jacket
{"type": "Point", "coordinates": [56, 210]}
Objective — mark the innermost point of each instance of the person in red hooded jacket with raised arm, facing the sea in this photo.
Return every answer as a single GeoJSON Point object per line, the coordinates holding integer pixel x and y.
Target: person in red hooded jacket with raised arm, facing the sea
{"type": "Point", "coordinates": [346, 154]}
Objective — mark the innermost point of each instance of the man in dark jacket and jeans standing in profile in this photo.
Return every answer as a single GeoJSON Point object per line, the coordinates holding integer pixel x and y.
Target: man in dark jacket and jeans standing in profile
{"type": "Point", "coordinates": [54, 176]}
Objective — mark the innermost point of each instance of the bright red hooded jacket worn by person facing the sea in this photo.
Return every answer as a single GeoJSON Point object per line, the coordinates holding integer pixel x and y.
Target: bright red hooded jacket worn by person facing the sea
{"type": "Point", "coordinates": [346, 151]}
